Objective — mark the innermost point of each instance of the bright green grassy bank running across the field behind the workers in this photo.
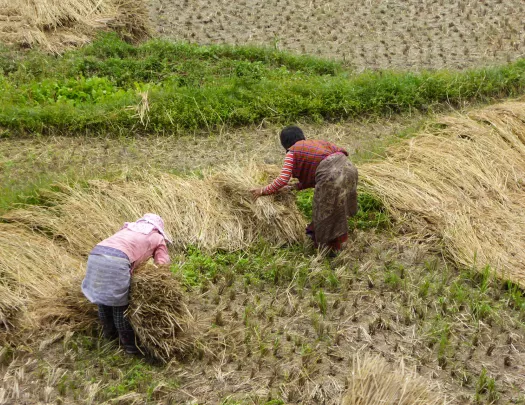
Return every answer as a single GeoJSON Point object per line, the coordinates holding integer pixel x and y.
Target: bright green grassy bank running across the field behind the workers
{"type": "Point", "coordinates": [97, 89]}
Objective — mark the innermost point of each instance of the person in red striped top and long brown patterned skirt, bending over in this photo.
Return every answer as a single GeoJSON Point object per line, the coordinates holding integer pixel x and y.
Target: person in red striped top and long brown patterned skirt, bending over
{"type": "Point", "coordinates": [325, 166]}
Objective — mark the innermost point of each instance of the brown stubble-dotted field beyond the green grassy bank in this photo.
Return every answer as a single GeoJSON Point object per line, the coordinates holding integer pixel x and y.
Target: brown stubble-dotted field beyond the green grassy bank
{"type": "Point", "coordinates": [372, 34]}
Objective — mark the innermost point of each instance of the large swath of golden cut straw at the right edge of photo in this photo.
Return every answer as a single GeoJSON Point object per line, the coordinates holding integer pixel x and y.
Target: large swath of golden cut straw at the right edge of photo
{"type": "Point", "coordinates": [463, 180]}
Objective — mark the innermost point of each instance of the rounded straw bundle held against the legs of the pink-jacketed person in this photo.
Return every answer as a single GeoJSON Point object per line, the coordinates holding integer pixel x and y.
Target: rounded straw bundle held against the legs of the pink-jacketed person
{"type": "Point", "coordinates": [159, 315]}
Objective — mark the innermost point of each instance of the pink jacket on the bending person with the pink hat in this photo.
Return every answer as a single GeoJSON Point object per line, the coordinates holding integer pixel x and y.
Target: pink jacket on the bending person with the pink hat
{"type": "Point", "coordinates": [139, 247]}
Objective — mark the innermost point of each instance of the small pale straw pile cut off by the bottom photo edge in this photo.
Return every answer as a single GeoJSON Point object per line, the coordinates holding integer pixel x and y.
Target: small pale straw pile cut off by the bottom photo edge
{"type": "Point", "coordinates": [373, 381]}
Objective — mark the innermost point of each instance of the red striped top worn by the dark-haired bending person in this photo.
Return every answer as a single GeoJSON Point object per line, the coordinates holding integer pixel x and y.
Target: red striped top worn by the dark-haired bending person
{"type": "Point", "coordinates": [301, 162]}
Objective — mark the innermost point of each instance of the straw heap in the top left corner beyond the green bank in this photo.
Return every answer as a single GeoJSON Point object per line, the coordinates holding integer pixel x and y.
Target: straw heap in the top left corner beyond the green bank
{"type": "Point", "coordinates": [57, 24]}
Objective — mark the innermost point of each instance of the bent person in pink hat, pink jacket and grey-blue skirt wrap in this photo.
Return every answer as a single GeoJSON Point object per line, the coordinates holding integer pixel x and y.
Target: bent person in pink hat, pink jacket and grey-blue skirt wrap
{"type": "Point", "coordinates": [109, 269]}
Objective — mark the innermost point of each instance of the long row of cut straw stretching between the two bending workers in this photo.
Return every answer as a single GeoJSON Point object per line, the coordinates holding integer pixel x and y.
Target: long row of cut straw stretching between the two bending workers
{"type": "Point", "coordinates": [214, 212]}
